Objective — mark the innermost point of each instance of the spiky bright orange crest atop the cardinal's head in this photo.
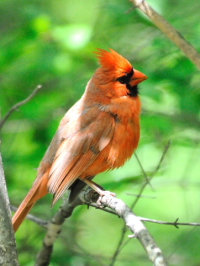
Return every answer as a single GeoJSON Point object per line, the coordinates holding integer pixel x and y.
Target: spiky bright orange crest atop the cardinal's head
{"type": "Point", "coordinates": [112, 61]}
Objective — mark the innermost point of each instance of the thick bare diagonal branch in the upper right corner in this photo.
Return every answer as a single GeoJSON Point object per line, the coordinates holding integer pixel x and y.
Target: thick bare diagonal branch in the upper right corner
{"type": "Point", "coordinates": [169, 31]}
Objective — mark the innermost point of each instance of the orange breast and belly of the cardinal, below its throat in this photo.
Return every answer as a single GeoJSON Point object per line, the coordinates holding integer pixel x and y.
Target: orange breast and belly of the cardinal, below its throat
{"type": "Point", "coordinates": [123, 143]}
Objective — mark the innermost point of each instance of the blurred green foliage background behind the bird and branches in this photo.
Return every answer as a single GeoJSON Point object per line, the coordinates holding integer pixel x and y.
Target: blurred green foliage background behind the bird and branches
{"type": "Point", "coordinates": [51, 43]}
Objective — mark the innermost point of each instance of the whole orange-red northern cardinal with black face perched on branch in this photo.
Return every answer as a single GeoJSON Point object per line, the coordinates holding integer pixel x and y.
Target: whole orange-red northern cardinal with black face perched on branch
{"type": "Point", "coordinates": [100, 132]}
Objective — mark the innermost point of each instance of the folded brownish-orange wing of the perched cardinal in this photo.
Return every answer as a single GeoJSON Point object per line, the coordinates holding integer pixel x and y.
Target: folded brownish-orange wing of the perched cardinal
{"type": "Point", "coordinates": [83, 139]}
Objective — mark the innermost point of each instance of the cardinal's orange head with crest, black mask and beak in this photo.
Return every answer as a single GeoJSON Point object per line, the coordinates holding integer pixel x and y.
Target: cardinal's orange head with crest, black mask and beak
{"type": "Point", "coordinates": [116, 75]}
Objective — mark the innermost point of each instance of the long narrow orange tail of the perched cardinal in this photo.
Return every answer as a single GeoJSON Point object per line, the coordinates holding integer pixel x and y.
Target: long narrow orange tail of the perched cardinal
{"type": "Point", "coordinates": [38, 191]}
